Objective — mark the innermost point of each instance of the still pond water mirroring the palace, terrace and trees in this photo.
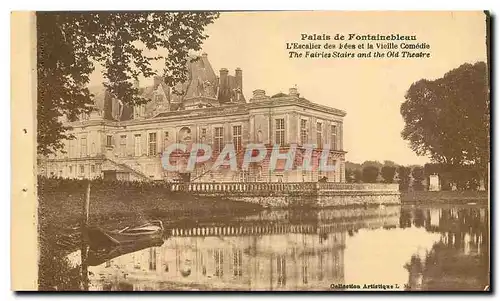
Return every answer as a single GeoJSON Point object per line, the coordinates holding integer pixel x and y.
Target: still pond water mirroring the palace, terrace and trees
{"type": "Point", "coordinates": [388, 248]}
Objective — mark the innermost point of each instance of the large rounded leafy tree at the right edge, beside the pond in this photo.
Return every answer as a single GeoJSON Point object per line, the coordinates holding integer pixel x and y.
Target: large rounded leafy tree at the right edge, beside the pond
{"type": "Point", "coordinates": [448, 119]}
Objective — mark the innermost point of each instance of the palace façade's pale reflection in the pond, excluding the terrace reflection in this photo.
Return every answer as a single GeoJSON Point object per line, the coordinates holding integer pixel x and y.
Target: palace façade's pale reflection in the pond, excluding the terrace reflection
{"type": "Point", "coordinates": [294, 261]}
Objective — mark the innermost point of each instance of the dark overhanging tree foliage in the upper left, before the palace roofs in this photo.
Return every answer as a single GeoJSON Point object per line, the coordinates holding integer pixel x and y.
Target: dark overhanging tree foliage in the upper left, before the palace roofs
{"type": "Point", "coordinates": [70, 43]}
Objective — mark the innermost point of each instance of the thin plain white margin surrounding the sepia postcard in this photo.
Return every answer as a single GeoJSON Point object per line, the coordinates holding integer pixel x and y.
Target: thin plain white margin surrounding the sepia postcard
{"type": "Point", "coordinates": [185, 5]}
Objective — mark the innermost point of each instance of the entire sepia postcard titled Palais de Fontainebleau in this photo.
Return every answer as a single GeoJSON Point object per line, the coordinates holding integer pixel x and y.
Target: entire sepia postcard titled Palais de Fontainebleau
{"type": "Point", "coordinates": [334, 151]}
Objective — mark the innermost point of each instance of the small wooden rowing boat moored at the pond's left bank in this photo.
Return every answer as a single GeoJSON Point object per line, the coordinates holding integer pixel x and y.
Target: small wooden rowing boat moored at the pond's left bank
{"type": "Point", "coordinates": [99, 238]}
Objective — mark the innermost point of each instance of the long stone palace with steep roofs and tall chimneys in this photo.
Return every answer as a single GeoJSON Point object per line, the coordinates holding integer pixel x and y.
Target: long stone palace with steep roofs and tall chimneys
{"type": "Point", "coordinates": [126, 143]}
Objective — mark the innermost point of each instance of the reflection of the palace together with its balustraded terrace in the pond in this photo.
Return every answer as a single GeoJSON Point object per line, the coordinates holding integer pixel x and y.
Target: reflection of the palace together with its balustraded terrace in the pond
{"type": "Point", "coordinates": [274, 250]}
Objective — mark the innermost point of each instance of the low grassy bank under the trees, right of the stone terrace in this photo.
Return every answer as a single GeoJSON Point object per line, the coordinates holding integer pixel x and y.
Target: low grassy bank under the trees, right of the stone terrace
{"type": "Point", "coordinates": [444, 197]}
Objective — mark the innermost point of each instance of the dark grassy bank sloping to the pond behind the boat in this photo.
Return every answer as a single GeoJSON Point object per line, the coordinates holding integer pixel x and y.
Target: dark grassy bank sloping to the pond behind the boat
{"type": "Point", "coordinates": [112, 204]}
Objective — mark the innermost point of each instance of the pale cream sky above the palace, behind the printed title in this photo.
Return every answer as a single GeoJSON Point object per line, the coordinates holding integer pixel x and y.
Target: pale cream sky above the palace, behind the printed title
{"type": "Point", "coordinates": [369, 90]}
